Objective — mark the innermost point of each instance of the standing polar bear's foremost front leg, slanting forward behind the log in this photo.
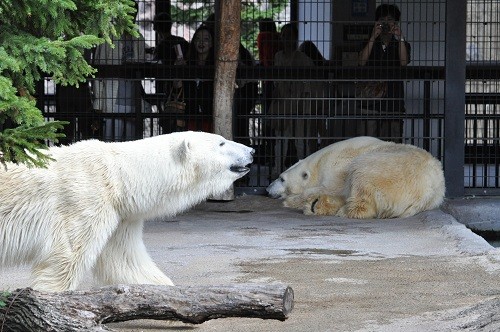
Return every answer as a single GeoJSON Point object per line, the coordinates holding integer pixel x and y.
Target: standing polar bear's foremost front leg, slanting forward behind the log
{"type": "Point", "coordinates": [125, 259]}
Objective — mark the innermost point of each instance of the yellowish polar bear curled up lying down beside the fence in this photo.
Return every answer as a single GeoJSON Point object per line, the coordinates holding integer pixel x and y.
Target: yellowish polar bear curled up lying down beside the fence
{"type": "Point", "coordinates": [363, 177]}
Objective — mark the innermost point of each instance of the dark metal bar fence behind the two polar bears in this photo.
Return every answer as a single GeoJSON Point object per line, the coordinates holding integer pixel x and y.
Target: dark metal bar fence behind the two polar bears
{"type": "Point", "coordinates": [289, 110]}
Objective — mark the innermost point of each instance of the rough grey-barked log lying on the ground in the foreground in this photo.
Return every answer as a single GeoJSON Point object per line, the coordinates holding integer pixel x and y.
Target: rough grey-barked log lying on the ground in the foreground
{"type": "Point", "coordinates": [30, 310]}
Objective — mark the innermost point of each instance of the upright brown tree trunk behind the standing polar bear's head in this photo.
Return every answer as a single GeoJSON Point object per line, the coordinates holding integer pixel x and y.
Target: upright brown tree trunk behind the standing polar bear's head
{"type": "Point", "coordinates": [226, 63]}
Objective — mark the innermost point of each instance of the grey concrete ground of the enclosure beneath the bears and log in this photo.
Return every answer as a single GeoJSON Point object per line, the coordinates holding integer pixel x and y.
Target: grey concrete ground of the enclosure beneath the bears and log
{"type": "Point", "coordinates": [424, 273]}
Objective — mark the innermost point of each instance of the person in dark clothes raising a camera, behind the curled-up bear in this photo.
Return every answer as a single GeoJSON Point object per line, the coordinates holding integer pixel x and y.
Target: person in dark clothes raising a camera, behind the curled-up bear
{"type": "Point", "coordinates": [386, 47]}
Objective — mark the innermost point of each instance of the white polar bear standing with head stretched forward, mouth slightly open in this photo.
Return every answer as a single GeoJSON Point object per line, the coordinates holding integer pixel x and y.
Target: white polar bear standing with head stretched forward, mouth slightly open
{"type": "Point", "coordinates": [85, 211]}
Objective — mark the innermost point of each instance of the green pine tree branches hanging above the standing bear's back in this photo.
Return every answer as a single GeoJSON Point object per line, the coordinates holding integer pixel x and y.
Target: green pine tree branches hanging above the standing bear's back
{"type": "Point", "coordinates": [47, 38]}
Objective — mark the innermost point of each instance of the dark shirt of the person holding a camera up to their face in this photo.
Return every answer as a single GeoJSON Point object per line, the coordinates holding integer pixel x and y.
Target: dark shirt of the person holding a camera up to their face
{"type": "Point", "coordinates": [389, 57]}
